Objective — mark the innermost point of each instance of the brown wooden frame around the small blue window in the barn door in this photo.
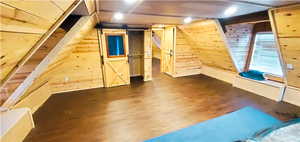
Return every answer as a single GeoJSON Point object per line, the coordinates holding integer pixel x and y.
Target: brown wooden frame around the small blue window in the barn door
{"type": "Point", "coordinates": [107, 45]}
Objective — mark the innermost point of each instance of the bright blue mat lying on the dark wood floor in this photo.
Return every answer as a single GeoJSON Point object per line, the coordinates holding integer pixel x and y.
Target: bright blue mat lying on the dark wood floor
{"type": "Point", "coordinates": [237, 125]}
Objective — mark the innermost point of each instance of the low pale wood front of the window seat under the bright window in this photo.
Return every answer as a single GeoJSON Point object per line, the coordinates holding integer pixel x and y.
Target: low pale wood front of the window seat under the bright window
{"type": "Point", "coordinates": [268, 89]}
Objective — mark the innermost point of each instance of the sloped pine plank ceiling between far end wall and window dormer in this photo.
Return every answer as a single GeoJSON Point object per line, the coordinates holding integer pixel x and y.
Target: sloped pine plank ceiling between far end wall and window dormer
{"type": "Point", "coordinates": [206, 39]}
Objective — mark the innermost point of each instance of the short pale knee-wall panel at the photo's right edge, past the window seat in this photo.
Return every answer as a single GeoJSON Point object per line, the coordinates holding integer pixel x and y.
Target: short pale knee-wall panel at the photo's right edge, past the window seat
{"type": "Point", "coordinates": [292, 95]}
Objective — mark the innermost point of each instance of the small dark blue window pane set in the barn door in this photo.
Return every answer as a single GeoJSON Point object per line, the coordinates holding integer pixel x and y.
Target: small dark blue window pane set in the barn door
{"type": "Point", "coordinates": [115, 45]}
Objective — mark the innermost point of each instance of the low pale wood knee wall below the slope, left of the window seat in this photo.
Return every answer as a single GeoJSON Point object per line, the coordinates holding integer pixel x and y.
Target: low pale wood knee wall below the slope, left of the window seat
{"type": "Point", "coordinates": [219, 74]}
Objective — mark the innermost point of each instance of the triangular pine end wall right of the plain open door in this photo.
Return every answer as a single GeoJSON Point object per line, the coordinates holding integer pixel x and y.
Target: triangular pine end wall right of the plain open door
{"type": "Point", "coordinates": [187, 62]}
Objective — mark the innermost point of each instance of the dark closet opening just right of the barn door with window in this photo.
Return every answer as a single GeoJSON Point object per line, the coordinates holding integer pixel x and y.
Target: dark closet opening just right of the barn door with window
{"type": "Point", "coordinates": [136, 55]}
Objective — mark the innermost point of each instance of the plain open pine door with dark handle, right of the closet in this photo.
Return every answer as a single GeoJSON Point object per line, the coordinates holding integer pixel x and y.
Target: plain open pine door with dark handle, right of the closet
{"type": "Point", "coordinates": [167, 53]}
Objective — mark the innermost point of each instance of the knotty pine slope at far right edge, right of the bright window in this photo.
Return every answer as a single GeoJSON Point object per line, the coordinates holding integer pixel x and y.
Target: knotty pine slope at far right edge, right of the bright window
{"type": "Point", "coordinates": [286, 22]}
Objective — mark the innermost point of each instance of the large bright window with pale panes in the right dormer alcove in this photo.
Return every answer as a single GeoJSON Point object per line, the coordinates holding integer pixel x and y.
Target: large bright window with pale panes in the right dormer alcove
{"type": "Point", "coordinates": [265, 57]}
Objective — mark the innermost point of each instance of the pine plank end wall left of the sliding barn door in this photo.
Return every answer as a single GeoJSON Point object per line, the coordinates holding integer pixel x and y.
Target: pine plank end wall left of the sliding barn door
{"type": "Point", "coordinates": [82, 70]}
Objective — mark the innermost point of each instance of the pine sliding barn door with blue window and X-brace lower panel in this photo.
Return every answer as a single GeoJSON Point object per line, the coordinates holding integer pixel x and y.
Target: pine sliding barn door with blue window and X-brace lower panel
{"type": "Point", "coordinates": [115, 57]}
